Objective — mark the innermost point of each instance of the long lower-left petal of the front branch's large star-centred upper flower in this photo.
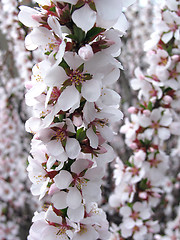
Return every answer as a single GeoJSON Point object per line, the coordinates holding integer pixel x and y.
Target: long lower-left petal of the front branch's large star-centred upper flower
{"type": "Point", "coordinates": [67, 99]}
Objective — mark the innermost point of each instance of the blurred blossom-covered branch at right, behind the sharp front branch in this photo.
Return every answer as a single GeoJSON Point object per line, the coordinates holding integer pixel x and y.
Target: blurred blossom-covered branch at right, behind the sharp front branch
{"type": "Point", "coordinates": [141, 183]}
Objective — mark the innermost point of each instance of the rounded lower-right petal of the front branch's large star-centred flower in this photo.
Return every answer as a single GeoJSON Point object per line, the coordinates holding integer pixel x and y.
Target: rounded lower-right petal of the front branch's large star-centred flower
{"type": "Point", "coordinates": [88, 90]}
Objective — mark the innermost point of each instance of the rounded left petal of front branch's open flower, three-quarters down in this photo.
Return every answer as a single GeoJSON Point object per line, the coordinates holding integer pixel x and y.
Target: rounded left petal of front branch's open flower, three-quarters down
{"type": "Point", "coordinates": [63, 179]}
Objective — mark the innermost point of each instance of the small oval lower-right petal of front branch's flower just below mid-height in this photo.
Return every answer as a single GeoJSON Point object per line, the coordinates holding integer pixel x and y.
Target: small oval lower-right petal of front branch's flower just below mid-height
{"type": "Point", "coordinates": [72, 148]}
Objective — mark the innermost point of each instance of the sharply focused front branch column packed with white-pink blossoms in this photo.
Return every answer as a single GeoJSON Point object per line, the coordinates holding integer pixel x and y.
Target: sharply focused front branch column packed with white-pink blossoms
{"type": "Point", "coordinates": [73, 106]}
